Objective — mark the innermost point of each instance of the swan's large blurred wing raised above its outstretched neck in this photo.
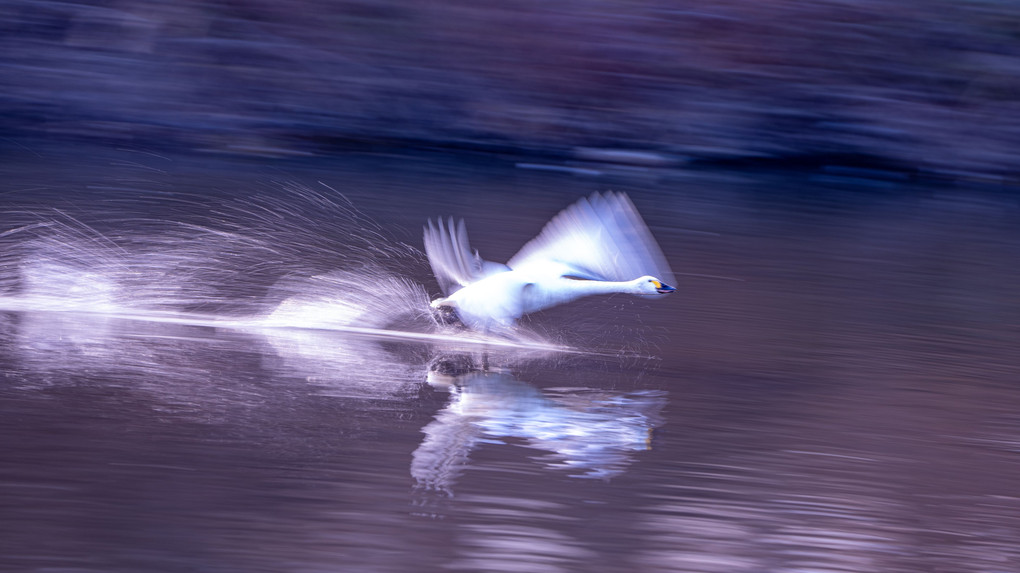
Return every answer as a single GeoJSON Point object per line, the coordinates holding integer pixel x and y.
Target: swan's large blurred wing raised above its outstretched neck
{"type": "Point", "coordinates": [601, 238]}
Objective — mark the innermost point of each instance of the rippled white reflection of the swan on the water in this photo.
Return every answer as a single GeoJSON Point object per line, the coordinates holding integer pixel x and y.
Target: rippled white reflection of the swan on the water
{"type": "Point", "coordinates": [584, 432]}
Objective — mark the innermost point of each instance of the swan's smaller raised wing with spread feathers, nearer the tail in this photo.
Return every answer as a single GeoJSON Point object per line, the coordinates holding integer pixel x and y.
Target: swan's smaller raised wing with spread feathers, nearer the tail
{"type": "Point", "coordinates": [453, 263]}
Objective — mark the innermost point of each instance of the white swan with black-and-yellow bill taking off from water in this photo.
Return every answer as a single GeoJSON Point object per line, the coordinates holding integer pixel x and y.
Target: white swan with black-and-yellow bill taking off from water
{"type": "Point", "coordinates": [598, 246]}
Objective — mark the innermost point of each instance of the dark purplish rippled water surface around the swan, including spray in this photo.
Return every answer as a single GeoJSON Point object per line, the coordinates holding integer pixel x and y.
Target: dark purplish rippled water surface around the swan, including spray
{"type": "Point", "coordinates": [834, 388]}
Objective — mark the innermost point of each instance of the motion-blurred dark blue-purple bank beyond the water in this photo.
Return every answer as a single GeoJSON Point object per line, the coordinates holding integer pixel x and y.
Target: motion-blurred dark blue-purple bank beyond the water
{"type": "Point", "coordinates": [928, 88]}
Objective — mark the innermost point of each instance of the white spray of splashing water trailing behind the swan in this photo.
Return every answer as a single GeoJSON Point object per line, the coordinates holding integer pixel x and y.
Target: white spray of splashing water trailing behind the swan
{"type": "Point", "coordinates": [300, 258]}
